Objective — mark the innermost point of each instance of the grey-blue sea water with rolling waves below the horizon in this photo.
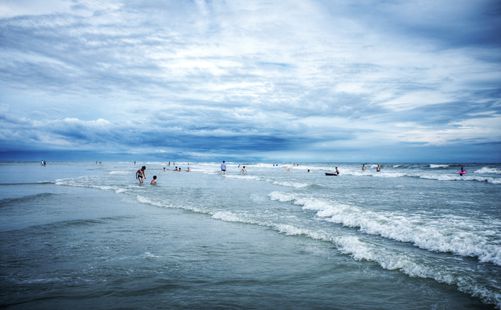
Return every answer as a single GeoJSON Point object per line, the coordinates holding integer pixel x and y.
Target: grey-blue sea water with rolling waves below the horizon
{"type": "Point", "coordinates": [411, 236]}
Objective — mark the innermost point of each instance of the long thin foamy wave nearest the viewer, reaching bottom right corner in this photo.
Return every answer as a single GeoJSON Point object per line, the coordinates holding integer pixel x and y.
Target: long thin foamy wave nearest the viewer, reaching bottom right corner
{"type": "Point", "coordinates": [359, 250]}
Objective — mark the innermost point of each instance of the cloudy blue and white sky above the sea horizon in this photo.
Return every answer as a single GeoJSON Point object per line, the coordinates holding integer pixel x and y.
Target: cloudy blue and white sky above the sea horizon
{"type": "Point", "coordinates": [369, 80]}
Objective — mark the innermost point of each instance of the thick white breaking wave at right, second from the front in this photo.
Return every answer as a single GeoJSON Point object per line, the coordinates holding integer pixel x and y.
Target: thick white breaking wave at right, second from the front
{"type": "Point", "coordinates": [451, 234]}
